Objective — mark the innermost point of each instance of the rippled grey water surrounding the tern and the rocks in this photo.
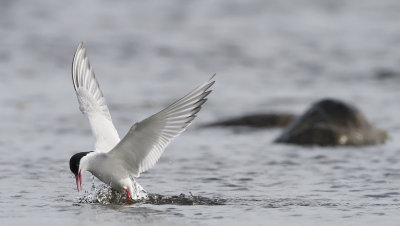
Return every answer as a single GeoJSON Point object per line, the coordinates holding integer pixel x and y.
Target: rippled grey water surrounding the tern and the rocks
{"type": "Point", "coordinates": [269, 56]}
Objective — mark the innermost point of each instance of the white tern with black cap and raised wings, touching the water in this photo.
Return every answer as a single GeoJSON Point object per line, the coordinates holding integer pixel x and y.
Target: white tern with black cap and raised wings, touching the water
{"type": "Point", "coordinates": [114, 161]}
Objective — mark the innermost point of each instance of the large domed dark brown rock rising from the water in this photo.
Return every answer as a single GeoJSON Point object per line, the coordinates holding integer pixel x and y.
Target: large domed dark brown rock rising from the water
{"type": "Point", "coordinates": [332, 122]}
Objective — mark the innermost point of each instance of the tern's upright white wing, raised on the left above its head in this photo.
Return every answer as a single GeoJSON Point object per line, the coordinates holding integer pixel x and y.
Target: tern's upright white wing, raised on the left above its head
{"type": "Point", "coordinates": [92, 102]}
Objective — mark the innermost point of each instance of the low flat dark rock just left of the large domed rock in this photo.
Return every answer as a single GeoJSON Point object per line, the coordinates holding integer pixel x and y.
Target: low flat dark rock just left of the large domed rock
{"type": "Point", "coordinates": [258, 120]}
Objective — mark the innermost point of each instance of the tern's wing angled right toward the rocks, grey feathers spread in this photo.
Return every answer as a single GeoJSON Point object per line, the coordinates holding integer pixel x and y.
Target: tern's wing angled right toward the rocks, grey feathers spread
{"type": "Point", "coordinates": [141, 148]}
